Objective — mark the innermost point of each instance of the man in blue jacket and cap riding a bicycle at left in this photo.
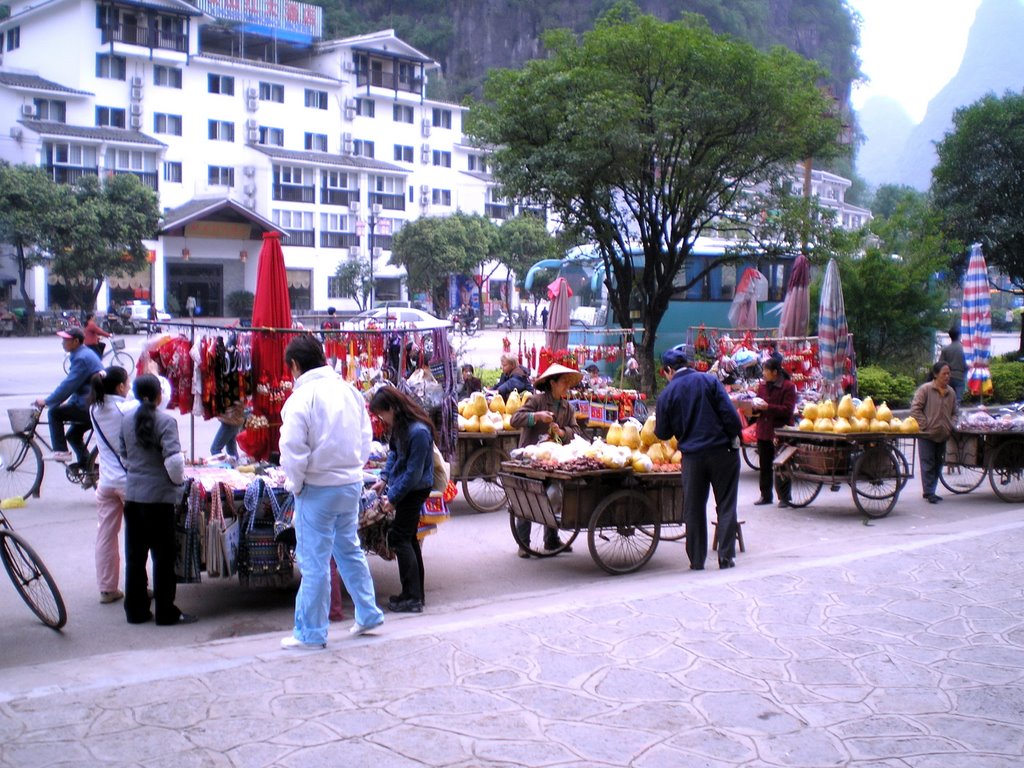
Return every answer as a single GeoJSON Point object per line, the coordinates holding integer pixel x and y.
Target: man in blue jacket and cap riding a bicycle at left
{"type": "Point", "coordinates": [75, 390]}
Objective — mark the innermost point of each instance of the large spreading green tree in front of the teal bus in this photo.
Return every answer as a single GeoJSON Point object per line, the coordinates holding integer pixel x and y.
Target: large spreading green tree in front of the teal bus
{"type": "Point", "coordinates": [648, 133]}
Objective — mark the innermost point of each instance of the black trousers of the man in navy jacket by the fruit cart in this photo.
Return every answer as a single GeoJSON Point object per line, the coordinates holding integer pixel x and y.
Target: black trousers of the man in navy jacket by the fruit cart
{"type": "Point", "coordinates": [716, 471]}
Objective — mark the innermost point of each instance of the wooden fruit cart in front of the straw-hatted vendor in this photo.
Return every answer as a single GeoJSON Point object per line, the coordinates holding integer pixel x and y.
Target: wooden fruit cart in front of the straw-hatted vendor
{"type": "Point", "coordinates": [622, 511]}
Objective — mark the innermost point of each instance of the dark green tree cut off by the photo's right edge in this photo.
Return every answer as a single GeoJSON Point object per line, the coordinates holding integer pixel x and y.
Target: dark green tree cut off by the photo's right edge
{"type": "Point", "coordinates": [978, 184]}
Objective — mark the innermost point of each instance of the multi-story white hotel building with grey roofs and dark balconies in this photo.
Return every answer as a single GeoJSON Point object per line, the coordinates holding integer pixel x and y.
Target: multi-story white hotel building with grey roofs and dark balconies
{"type": "Point", "coordinates": [244, 121]}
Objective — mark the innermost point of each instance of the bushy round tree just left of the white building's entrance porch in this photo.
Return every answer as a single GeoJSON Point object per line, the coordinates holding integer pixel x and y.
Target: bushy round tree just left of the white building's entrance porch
{"type": "Point", "coordinates": [100, 234]}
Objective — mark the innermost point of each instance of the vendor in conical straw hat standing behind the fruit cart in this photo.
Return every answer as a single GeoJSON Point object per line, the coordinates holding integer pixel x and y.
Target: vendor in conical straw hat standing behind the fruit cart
{"type": "Point", "coordinates": [547, 416]}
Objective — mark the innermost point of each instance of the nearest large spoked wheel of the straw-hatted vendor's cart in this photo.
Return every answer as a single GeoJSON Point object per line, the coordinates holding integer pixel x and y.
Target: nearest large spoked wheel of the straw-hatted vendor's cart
{"type": "Point", "coordinates": [621, 539]}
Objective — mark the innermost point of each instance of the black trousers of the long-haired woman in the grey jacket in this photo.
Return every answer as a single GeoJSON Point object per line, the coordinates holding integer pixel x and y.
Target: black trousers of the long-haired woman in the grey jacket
{"type": "Point", "coordinates": [150, 531]}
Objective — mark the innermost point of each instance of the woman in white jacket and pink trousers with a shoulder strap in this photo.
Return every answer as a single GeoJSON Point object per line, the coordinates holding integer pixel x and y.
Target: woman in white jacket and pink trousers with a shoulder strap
{"type": "Point", "coordinates": [110, 390]}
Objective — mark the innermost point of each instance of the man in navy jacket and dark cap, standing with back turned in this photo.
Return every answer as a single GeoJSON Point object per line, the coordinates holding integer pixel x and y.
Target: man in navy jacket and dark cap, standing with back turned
{"type": "Point", "coordinates": [696, 409]}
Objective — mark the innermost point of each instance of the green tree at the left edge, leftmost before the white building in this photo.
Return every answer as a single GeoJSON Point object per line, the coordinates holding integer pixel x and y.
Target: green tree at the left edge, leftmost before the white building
{"type": "Point", "coordinates": [28, 197]}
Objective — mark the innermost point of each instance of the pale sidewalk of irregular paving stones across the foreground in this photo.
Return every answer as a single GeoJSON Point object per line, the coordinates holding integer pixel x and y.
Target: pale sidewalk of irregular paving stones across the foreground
{"type": "Point", "coordinates": [904, 656]}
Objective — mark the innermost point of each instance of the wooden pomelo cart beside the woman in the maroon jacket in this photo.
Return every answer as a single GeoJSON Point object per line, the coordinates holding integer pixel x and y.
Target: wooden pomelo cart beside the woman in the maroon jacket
{"type": "Point", "coordinates": [871, 463]}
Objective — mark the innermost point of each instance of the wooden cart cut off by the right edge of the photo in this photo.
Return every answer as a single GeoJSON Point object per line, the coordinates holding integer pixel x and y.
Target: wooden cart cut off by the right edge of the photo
{"type": "Point", "coordinates": [973, 455]}
